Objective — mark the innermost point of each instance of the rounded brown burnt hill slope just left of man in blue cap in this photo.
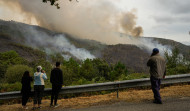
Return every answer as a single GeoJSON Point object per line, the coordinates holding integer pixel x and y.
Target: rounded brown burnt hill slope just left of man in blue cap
{"type": "Point", "coordinates": [132, 56]}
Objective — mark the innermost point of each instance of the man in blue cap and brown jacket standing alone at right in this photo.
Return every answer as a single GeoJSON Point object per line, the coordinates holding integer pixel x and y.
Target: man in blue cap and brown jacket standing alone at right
{"type": "Point", "coordinates": [157, 66]}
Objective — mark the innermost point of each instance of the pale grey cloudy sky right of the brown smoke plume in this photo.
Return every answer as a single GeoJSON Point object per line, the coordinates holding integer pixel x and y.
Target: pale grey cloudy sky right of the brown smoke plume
{"type": "Point", "coordinates": [163, 18]}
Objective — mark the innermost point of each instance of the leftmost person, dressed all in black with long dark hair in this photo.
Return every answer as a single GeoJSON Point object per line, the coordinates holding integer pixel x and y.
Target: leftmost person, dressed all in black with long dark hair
{"type": "Point", "coordinates": [26, 88]}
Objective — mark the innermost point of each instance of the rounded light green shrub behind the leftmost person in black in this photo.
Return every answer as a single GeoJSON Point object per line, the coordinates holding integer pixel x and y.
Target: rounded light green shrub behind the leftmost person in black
{"type": "Point", "coordinates": [14, 73]}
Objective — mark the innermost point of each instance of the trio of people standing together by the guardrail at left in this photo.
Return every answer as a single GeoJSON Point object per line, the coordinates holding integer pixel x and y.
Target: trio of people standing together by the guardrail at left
{"type": "Point", "coordinates": [56, 78]}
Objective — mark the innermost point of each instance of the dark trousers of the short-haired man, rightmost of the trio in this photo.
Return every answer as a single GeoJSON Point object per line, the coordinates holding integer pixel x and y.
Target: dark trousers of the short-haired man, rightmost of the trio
{"type": "Point", "coordinates": [55, 92]}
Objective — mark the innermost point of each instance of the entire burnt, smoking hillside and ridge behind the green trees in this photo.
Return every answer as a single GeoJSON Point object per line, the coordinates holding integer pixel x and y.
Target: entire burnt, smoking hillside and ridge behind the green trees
{"type": "Point", "coordinates": [32, 42]}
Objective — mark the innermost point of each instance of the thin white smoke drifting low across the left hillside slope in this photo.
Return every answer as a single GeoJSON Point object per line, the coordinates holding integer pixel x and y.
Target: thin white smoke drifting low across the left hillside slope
{"type": "Point", "coordinates": [54, 43]}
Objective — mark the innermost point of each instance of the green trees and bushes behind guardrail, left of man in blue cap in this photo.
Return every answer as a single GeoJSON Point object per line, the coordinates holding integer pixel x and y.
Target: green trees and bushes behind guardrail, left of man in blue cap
{"type": "Point", "coordinates": [74, 72]}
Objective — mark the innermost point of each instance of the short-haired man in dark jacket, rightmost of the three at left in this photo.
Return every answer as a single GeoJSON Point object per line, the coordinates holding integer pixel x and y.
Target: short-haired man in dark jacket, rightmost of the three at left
{"type": "Point", "coordinates": [56, 79]}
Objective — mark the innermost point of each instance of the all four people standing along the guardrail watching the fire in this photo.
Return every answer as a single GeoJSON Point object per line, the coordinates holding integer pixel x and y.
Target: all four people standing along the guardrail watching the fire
{"type": "Point", "coordinates": [156, 63]}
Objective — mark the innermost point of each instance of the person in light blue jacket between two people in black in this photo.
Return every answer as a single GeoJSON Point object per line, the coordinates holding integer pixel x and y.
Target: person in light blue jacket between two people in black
{"type": "Point", "coordinates": [39, 78]}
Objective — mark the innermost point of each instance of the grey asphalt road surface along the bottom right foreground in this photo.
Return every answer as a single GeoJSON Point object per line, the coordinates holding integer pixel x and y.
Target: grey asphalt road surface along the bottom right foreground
{"type": "Point", "coordinates": [170, 104]}
